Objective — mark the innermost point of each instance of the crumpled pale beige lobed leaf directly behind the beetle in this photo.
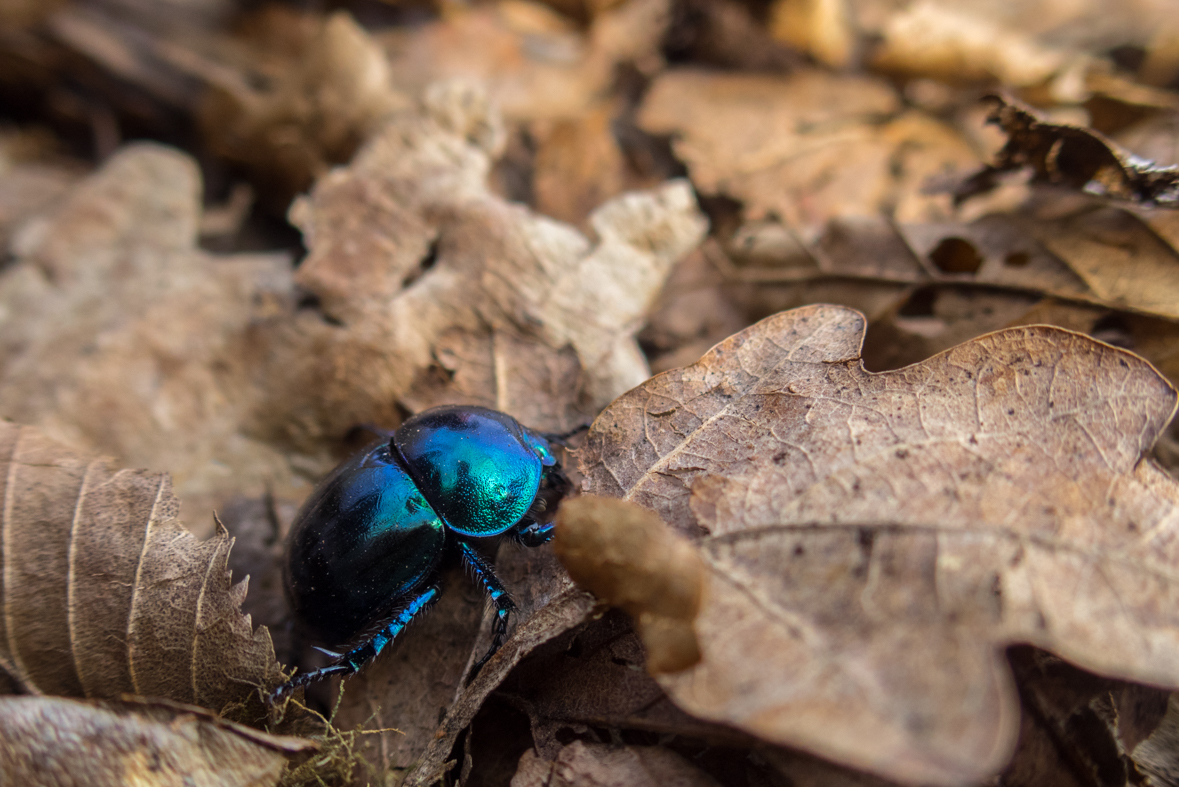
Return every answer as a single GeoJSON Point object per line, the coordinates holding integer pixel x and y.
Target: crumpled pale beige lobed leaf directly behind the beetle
{"type": "Point", "coordinates": [437, 290]}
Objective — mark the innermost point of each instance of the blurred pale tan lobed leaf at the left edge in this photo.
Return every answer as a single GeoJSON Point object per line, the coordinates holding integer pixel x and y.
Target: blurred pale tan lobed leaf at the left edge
{"type": "Point", "coordinates": [121, 338]}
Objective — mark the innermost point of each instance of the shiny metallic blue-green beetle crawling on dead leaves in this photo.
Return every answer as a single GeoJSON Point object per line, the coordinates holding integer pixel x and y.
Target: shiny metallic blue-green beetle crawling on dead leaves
{"type": "Point", "coordinates": [367, 547]}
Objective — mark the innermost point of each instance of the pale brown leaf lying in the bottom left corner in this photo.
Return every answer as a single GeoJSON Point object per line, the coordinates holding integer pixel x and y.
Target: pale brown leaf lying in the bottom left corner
{"type": "Point", "coordinates": [54, 742]}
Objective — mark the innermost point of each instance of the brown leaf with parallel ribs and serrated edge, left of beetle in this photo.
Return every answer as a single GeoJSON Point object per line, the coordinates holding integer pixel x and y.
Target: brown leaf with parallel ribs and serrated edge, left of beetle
{"type": "Point", "coordinates": [104, 592]}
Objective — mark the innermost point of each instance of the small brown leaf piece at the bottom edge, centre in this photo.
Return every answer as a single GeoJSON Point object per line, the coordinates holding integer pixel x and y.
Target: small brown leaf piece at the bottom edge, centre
{"type": "Point", "coordinates": [598, 765]}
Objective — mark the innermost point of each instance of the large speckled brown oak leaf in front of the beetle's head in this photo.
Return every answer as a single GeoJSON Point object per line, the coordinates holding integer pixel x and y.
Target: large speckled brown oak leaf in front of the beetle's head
{"type": "Point", "coordinates": [873, 541]}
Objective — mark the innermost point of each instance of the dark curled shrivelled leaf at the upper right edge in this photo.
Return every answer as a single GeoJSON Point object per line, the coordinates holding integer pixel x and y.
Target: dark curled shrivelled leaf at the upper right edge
{"type": "Point", "coordinates": [1072, 157]}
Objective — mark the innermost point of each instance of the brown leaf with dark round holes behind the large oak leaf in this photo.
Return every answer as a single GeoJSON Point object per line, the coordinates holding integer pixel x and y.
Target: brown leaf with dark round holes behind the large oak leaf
{"type": "Point", "coordinates": [930, 287]}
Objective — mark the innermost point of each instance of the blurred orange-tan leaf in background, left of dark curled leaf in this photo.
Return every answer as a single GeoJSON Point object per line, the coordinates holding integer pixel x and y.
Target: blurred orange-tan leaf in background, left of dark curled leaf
{"type": "Point", "coordinates": [807, 147]}
